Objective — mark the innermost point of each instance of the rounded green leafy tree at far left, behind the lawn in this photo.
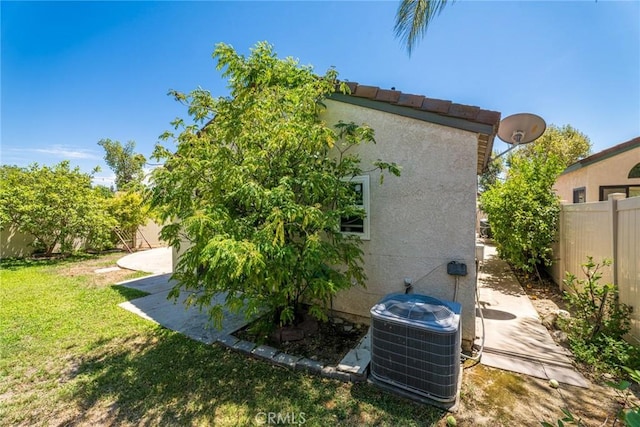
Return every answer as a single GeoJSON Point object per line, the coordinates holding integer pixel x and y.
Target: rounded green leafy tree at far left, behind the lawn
{"type": "Point", "coordinates": [56, 205]}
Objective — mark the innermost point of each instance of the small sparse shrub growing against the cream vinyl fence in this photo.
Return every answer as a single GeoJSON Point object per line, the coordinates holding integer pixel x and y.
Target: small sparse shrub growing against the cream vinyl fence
{"type": "Point", "coordinates": [597, 328]}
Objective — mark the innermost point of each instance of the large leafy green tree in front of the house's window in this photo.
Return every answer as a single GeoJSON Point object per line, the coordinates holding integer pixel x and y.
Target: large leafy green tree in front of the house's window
{"type": "Point", "coordinates": [254, 191]}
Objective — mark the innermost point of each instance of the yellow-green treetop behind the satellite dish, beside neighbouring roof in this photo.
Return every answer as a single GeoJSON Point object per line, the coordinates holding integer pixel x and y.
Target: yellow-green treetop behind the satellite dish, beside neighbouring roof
{"type": "Point", "coordinates": [565, 142]}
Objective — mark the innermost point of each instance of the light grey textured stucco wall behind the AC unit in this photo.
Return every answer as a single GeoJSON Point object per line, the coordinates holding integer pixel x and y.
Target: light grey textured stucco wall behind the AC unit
{"type": "Point", "coordinates": [420, 221]}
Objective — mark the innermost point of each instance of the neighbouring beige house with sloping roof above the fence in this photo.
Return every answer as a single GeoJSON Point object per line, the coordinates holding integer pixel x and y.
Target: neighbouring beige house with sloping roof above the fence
{"type": "Point", "coordinates": [592, 179]}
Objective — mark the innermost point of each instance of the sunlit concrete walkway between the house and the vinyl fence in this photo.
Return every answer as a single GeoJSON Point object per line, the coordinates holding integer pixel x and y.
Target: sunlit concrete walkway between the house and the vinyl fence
{"type": "Point", "coordinates": [515, 338]}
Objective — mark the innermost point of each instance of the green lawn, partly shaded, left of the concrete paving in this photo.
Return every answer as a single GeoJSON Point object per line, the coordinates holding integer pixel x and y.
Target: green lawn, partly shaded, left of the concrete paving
{"type": "Point", "coordinates": [70, 355]}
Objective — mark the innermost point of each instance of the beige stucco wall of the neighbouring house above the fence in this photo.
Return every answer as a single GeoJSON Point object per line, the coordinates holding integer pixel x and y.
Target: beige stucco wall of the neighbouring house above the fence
{"type": "Point", "coordinates": [611, 171]}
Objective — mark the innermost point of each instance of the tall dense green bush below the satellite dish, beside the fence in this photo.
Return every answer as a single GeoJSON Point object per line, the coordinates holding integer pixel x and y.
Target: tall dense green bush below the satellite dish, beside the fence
{"type": "Point", "coordinates": [523, 210]}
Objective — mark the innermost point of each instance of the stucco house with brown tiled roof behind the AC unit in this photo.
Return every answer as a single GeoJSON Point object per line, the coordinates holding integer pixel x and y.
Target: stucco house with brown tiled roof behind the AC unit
{"type": "Point", "coordinates": [419, 222]}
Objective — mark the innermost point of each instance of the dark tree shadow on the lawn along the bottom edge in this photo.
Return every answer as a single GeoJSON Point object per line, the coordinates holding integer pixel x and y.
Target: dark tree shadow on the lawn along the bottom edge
{"type": "Point", "coordinates": [165, 378]}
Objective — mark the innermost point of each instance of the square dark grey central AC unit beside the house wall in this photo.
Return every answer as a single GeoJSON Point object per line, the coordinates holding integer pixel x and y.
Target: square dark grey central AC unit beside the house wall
{"type": "Point", "coordinates": [415, 345]}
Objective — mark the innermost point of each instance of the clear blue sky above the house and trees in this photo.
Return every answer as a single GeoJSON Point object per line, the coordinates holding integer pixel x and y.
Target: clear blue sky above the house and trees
{"type": "Point", "coordinates": [73, 73]}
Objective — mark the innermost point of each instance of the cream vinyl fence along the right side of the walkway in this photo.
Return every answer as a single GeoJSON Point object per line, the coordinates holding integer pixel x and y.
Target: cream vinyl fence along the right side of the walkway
{"type": "Point", "coordinates": [609, 229]}
